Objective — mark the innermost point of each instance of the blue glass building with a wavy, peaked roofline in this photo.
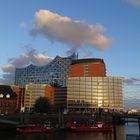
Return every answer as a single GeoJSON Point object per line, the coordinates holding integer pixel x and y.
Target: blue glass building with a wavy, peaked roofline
{"type": "Point", "coordinates": [54, 73]}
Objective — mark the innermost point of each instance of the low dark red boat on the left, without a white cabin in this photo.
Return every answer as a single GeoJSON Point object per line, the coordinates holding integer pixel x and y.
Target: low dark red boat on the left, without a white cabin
{"type": "Point", "coordinates": [34, 129]}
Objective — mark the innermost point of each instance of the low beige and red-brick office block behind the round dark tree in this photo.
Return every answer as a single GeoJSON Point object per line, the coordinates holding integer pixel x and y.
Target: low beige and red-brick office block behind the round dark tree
{"type": "Point", "coordinates": [57, 96]}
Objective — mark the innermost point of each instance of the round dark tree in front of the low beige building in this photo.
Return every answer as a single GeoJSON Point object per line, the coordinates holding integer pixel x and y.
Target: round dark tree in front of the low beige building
{"type": "Point", "coordinates": [42, 105]}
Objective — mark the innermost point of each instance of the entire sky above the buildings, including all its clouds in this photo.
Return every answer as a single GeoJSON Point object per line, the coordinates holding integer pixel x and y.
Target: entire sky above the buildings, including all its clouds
{"type": "Point", "coordinates": [35, 31]}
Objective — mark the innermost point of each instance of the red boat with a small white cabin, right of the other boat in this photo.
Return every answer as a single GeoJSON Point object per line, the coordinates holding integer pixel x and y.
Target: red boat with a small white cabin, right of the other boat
{"type": "Point", "coordinates": [97, 127]}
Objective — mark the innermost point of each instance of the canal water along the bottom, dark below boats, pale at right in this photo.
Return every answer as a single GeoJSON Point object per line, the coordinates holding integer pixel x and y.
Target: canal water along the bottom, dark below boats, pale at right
{"type": "Point", "coordinates": [121, 131]}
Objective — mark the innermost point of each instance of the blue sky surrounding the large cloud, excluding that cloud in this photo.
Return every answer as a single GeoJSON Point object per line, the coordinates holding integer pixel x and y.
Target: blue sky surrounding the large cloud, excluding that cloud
{"type": "Point", "coordinates": [119, 18]}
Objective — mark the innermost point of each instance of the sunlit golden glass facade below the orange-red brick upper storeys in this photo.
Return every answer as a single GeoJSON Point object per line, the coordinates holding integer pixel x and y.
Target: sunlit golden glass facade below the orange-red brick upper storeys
{"type": "Point", "coordinates": [95, 92]}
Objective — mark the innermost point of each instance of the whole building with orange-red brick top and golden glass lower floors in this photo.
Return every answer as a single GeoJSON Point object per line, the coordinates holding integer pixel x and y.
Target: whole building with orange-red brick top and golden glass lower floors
{"type": "Point", "coordinates": [89, 88]}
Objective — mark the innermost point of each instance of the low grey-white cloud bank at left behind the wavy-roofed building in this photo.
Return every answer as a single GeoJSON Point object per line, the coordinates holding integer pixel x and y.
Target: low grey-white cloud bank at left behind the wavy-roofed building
{"type": "Point", "coordinates": [31, 56]}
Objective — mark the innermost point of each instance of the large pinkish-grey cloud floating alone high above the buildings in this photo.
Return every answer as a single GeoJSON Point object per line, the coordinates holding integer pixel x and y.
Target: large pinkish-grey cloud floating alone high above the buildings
{"type": "Point", "coordinates": [74, 33]}
